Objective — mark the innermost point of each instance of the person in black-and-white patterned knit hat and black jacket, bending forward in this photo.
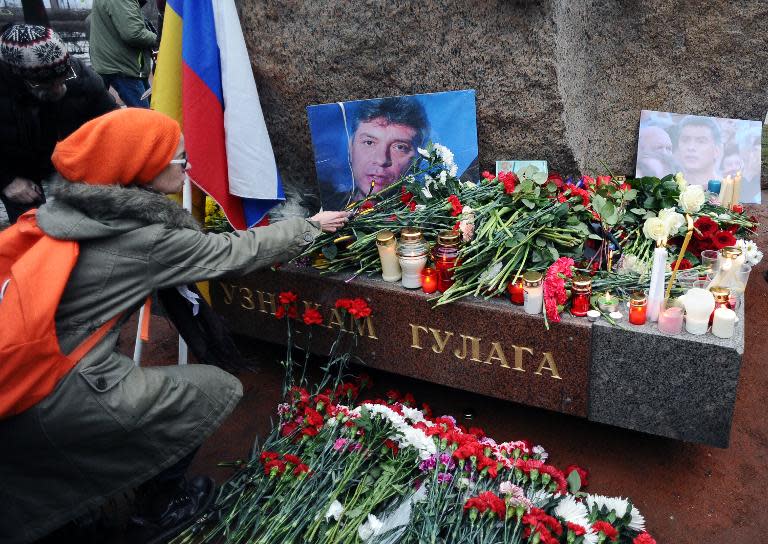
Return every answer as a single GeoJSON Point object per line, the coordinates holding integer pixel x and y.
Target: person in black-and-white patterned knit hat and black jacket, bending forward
{"type": "Point", "coordinates": [45, 95]}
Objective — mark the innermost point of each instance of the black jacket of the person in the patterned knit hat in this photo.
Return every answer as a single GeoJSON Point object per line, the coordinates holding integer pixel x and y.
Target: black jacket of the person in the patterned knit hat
{"type": "Point", "coordinates": [29, 129]}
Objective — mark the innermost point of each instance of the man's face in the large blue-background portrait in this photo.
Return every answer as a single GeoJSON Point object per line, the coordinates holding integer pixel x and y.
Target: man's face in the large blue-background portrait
{"type": "Point", "coordinates": [380, 152]}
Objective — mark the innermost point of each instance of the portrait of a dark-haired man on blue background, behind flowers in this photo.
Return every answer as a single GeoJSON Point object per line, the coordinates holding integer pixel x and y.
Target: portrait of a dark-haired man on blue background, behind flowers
{"type": "Point", "coordinates": [361, 143]}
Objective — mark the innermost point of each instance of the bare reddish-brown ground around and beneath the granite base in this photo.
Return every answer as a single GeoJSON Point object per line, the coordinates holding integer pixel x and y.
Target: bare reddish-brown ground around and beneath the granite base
{"type": "Point", "coordinates": [688, 493]}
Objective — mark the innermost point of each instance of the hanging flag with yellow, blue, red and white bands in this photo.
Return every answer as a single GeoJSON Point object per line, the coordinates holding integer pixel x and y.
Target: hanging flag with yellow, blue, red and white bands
{"type": "Point", "coordinates": [204, 80]}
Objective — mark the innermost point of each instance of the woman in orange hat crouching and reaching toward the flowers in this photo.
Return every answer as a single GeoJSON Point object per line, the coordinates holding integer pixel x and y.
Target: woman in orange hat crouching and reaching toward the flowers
{"type": "Point", "coordinates": [109, 426]}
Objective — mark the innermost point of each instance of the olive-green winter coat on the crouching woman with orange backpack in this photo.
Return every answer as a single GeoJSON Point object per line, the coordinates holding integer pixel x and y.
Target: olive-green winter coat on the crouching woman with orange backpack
{"type": "Point", "coordinates": [110, 425]}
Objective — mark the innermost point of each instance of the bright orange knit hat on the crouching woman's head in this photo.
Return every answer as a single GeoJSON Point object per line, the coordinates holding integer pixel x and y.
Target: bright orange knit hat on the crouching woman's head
{"type": "Point", "coordinates": [130, 145]}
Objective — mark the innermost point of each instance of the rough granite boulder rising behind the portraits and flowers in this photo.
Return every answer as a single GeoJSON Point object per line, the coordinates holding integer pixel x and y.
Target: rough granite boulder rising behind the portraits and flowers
{"type": "Point", "coordinates": [563, 80]}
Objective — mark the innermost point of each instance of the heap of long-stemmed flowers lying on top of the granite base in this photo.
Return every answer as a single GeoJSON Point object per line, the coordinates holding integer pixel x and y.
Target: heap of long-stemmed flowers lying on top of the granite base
{"type": "Point", "coordinates": [511, 223]}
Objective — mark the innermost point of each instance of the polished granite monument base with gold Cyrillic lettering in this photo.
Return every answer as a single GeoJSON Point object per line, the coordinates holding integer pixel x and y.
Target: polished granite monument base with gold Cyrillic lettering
{"type": "Point", "coordinates": [629, 376]}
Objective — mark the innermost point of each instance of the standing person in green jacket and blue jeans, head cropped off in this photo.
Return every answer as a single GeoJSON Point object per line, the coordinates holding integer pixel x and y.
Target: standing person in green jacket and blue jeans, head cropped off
{"type": "Point", "coordinates": [121, 48]}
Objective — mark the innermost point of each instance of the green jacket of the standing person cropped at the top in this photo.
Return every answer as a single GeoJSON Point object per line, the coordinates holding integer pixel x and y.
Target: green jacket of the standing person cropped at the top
{"type": "Point", "coordinates": [120, 42]}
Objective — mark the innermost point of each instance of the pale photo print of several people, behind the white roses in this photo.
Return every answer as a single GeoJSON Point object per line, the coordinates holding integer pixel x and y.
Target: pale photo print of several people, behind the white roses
{"type": "Point", "coordinates": [702, 148]}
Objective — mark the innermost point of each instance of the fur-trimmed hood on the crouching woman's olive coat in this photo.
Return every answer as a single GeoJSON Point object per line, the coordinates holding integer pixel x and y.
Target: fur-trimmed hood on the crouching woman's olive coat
{"type": "Point", "coordinates": [78, 211]}
